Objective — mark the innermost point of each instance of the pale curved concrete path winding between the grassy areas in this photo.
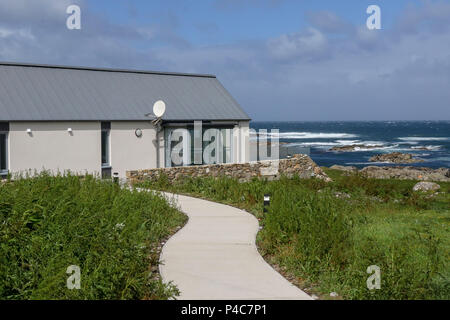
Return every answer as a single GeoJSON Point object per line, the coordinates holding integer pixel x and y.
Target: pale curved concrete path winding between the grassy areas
{"type": "Point", "coordinates": [215, 257]}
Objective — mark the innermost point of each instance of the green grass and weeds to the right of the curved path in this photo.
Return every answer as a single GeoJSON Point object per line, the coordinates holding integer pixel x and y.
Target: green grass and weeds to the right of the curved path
{"type": "Point", "coordinates": [328, 242]}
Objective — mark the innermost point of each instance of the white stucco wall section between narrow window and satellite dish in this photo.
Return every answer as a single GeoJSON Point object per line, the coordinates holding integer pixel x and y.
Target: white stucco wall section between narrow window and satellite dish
{"type": "Point", "coordinates": [129, 152]}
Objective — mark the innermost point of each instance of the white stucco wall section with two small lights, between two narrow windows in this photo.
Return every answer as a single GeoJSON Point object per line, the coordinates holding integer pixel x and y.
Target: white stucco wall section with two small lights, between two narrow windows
{"type": "Point", "coordinates": [50, 146]}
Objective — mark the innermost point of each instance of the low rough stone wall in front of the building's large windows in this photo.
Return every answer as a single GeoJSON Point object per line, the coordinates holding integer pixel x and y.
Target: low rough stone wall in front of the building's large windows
{"type": "Point", "coordinates": [300, 165]}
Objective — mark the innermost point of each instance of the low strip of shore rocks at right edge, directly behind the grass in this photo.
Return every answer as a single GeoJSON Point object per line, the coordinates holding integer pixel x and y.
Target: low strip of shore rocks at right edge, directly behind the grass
{"type": "Point", "coordinates": [406, 173]}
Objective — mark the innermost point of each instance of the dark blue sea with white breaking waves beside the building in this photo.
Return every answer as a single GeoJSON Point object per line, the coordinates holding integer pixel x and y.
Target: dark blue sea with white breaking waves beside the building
{"type": "Point", "coordinates": [391, 136]}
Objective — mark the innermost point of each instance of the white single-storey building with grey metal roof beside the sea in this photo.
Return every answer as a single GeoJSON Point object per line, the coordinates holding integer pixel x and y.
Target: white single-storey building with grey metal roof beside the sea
{"type": "Point", "coordinates": [99, 121]}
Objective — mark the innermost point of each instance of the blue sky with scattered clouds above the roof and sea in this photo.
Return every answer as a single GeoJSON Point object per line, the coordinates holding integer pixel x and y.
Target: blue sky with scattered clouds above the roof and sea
{"type": "Point", "coordinates": [281, 59]}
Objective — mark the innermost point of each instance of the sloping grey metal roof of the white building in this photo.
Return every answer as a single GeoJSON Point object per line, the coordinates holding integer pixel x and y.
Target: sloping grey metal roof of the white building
{"type": "Point", "coordinates": [56, 93]}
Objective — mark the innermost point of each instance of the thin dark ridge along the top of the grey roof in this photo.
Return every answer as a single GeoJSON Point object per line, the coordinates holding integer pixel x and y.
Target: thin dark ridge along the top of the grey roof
{"type": "Point", "coordinates": [49, 66]}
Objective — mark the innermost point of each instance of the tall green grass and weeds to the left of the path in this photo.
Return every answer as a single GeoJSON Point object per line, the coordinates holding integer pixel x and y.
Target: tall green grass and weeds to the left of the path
{"type": "Point", "coordinates": [49, 223]}
